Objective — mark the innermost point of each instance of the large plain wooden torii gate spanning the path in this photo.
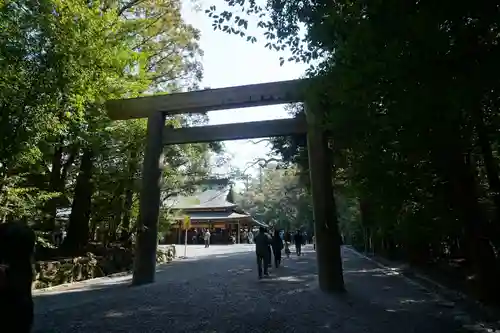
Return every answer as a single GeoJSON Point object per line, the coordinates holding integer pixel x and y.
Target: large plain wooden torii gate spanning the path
{"type": "Point", "coordinates": [155, 108]}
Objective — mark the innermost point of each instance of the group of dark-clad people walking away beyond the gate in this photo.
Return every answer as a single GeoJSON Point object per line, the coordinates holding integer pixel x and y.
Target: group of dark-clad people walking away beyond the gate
{"type": "Point", "coordinates": [269, 244]}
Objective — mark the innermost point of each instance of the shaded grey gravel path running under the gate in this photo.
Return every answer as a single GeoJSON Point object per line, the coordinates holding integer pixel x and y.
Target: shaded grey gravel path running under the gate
{"type": "Point", "coordinates": [220, 292]}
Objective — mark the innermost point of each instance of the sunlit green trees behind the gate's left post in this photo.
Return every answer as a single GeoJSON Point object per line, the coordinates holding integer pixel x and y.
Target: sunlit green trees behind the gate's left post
{"type": "Point", "coordinates": [60, 60]}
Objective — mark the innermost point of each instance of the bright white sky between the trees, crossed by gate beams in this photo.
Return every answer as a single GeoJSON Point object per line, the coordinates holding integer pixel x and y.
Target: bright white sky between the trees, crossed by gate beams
{"type": "Point", "coordinates": [230, 60]}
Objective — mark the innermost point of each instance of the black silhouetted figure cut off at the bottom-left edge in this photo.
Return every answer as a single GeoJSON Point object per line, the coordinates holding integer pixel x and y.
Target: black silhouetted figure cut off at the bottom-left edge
{"type": "Point", "coordinates": [17, 243]}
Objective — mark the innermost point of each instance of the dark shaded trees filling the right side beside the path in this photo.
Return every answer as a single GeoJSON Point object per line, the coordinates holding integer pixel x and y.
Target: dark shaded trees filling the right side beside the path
{"type": "Point", "coordinates": [409, 92]}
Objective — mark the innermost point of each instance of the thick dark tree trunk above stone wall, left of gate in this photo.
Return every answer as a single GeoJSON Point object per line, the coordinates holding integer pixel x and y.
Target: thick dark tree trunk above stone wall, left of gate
{"type": "Point", "coordinates": [78, 228]}
